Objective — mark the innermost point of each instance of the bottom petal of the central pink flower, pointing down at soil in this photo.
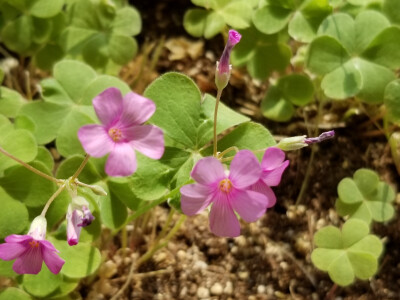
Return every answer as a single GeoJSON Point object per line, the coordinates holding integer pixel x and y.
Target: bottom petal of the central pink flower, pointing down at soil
{"type": "Point", "coordinates": [223, 221]}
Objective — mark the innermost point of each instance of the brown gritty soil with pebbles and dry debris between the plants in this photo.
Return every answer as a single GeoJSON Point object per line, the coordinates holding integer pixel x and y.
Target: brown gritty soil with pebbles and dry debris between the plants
{"type": "Point", "coordinates": [271, 259]}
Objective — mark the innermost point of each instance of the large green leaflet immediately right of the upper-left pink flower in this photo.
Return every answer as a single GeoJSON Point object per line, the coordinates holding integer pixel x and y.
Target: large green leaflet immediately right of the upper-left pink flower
{"type": "Point", "coordinates": [178, 109]}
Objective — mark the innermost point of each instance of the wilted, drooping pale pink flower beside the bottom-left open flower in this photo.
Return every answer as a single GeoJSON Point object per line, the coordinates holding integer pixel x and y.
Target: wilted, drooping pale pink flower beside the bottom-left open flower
{"type": "Point", "coordinates": [78, 216]}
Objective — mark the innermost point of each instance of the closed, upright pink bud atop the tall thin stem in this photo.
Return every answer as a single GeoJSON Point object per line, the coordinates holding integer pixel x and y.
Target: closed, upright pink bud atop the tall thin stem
{"type": "Point", "coordinates": [223, 67]}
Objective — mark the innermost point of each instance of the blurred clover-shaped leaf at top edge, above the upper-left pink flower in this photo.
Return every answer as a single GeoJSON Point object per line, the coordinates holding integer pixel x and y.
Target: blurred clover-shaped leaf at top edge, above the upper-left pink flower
{"type": "Point", "coordinates": [104, 36]}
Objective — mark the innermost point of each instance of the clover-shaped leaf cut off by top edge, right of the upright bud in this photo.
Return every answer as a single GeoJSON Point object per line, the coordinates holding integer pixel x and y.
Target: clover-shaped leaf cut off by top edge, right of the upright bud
{"type": "Point", "coordinates": [303, 17]}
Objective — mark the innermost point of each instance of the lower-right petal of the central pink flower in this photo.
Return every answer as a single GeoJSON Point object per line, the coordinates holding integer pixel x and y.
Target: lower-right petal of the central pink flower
{"type": "Point", "coordinates": [250, 205]}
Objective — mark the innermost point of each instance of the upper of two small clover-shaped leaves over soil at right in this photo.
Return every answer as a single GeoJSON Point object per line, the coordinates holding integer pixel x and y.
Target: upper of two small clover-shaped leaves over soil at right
{"type": "Point", "coordinates": [365, 197]}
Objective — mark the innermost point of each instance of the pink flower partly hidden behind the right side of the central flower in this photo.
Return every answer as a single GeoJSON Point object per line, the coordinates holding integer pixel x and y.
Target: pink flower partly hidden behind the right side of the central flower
{"type": "Point", "coordinates": [273, 165]}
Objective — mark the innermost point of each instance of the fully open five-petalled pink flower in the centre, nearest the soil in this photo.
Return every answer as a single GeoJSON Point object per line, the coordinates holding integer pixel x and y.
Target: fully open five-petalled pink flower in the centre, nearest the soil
{"type": "Point", "coordinates": [227, 193]}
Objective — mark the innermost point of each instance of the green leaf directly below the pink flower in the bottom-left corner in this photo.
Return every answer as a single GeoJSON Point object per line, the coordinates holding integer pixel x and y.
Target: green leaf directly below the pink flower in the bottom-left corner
{"type": "Point", "coordinates": [42, 284]}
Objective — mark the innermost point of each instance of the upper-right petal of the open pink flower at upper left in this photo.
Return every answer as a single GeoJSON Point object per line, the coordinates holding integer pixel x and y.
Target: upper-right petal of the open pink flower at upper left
{"type": "Point", "coordinates": [137, 110]}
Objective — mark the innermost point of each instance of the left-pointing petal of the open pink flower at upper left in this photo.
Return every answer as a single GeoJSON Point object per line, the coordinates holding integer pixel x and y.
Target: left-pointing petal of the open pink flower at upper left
{"type": "Point", "coordinates": [95, 140]}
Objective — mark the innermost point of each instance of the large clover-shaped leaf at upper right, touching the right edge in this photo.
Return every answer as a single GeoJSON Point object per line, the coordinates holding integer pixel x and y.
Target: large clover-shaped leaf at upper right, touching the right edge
{"type": "Point", "coordinates": [355, 56]}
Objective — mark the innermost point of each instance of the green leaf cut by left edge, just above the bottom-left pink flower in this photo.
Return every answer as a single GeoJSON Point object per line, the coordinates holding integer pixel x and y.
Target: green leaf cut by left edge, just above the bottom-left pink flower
{"type": "Point", "coordinates": [13, 216]}
